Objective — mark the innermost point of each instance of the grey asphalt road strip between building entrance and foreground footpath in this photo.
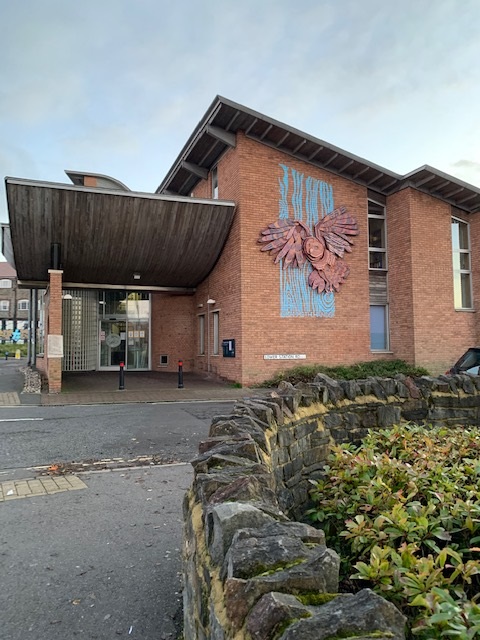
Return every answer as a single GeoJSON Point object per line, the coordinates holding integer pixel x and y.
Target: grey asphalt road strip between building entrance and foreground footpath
{"type": "Point", "coordinates": [33, 436]}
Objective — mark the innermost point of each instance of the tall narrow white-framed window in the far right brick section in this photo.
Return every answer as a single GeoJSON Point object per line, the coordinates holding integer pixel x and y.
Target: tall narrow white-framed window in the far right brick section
{"type": "Point", "coordinates": [462, 273]}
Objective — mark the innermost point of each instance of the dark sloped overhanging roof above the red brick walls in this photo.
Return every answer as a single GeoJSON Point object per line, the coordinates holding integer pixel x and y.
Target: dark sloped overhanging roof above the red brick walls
{"type": "Point", "coordinates": [216, 132]}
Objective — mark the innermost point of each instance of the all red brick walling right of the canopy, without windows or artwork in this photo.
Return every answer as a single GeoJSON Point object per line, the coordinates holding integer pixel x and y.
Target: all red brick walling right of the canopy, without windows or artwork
{"type": "Point", "coordinates": [424, 327]}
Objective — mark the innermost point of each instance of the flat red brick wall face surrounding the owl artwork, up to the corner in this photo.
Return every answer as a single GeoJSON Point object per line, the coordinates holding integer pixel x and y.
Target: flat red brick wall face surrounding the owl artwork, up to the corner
{"type": "Point", "coordinates": [343, 339]}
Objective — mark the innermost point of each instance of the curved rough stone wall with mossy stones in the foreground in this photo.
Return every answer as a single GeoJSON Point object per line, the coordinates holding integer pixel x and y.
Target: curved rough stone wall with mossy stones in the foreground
{"type": "Point", "coordinates": [252, 569]}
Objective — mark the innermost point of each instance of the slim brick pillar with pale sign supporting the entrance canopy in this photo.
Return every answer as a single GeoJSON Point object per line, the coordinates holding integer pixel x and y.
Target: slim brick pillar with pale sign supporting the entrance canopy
{"type": "Point", "coordinates": [54, 338]}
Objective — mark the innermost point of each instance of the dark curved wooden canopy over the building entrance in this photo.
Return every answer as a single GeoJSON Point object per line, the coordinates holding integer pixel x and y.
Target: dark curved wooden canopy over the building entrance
{"type": "Point", "coordinates": [107, 236]}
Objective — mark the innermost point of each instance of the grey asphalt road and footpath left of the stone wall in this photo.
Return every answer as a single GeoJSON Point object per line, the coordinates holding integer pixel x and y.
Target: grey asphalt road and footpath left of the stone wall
{"type": "Point", "coordinates": [102, 562]}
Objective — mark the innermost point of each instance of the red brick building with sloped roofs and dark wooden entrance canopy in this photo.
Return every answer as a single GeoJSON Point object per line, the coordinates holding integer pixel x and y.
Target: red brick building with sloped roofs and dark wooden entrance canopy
{"type": "Point", "coordinates": [153, 278]}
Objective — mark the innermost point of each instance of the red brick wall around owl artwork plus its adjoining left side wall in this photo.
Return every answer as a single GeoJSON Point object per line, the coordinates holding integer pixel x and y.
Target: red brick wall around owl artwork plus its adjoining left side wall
{"type": "Point", "coordinates": [246, 284]}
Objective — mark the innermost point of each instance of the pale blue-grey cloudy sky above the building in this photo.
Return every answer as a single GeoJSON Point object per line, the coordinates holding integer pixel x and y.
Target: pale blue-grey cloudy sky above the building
{"type": "Point", "coordinates": [116, 86]}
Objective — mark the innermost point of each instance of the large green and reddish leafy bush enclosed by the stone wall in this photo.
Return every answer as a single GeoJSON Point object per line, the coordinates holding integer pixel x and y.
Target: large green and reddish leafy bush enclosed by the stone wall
{"type": "Point", "coordinates": [403, 512]}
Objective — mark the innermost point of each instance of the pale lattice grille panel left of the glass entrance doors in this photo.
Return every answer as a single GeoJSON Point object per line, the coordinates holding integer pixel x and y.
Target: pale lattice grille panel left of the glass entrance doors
{"type": "Point", "coordinates": [80, 330]}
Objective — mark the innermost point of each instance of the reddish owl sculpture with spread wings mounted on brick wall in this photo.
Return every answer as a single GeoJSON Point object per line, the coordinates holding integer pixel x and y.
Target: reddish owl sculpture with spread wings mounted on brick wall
{"type": "Point", "coordinates": [293, 241]}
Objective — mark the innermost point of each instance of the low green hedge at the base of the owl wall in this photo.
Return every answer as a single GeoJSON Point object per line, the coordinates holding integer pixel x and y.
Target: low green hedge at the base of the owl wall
{"type": "Point", "coordinates": [380, 368]}
